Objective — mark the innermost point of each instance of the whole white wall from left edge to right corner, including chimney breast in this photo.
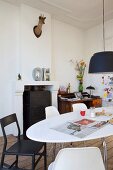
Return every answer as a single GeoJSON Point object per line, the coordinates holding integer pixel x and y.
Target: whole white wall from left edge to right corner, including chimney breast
{"type": "Point", "coordinates": [21, 52]}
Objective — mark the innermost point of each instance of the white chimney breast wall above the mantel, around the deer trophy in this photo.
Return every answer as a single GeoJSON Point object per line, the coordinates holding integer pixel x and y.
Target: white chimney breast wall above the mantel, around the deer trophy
{"type": "Point", "coordinates": [35, 52]}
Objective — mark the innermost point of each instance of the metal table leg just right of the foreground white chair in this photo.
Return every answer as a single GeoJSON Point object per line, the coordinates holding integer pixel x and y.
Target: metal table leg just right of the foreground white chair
{"type": "Point", "coordinates": [104, 152]}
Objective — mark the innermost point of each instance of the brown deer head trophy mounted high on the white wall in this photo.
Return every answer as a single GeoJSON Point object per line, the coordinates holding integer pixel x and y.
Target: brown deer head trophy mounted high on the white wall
{"type": "Point", "coordinates": [38, 28]}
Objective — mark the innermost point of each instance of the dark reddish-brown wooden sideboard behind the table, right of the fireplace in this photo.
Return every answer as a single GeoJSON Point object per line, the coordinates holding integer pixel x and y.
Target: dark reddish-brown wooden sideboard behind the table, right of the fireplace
{"type": "Point", "coordinates": [65, 102]}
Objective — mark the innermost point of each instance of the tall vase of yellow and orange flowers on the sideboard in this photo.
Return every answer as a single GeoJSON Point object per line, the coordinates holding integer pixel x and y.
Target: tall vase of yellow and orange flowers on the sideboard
{"type": "Point", "coordinates": [80, 67]}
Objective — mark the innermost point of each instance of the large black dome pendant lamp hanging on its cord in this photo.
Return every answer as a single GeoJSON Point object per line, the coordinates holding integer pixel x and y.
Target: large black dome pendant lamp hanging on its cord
{"type": "Point", "coordinates": [101, 62]}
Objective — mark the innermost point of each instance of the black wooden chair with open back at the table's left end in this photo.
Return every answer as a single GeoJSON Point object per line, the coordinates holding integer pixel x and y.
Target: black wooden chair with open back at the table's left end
{"type": "Point", "coordinates": [22, 147]}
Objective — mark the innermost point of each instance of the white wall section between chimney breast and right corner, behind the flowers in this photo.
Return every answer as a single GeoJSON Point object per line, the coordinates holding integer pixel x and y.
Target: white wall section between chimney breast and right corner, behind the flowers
{"type": "Point", "coordinates": [67, 44]}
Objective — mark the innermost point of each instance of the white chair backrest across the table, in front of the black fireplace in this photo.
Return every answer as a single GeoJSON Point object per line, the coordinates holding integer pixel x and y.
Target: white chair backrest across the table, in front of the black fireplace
{"type": "Point", "coordinates": [51, 111]}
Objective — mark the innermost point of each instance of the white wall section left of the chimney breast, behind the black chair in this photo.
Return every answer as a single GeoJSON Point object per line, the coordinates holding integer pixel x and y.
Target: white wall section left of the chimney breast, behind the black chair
{"type": "Point", "coordinates": [8, 55]}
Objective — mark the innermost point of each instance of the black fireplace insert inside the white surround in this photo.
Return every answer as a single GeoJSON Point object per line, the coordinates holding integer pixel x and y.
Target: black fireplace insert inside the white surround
{"type": "Point", "coordinates": [35, 99]}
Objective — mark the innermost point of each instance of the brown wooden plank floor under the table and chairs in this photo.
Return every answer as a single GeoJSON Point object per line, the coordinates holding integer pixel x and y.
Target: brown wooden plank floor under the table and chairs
{"type": "Point", "coordinates": [25, 162]}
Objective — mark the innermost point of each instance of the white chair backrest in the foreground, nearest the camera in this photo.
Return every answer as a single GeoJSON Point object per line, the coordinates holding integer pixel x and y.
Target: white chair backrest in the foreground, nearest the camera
{"type": "Point", "coordinates": [87, 158]}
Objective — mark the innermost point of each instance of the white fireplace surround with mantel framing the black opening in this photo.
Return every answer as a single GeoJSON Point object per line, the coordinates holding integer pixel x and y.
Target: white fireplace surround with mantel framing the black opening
{"type": "Point", "coordinates": [51, 86]}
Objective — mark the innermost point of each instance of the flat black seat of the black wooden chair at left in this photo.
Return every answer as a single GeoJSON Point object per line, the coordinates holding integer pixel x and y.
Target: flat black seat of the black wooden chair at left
{"type": "Point", "coordinates": [25, 147]}
